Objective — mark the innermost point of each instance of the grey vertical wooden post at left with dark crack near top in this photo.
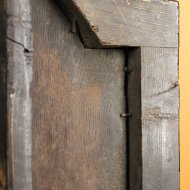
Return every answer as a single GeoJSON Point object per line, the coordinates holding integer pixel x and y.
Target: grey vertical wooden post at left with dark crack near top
{"type": "Point", "coordinates": [19, 50]}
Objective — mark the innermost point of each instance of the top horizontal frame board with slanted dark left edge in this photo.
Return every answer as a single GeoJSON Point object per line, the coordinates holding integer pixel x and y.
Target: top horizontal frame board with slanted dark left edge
{"type": "Point", "coordinates": [112, 23]}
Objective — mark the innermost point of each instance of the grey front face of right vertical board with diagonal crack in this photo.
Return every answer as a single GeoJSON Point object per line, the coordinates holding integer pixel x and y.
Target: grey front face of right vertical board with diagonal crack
{"type": "Point", "coordinates": [160, 113]}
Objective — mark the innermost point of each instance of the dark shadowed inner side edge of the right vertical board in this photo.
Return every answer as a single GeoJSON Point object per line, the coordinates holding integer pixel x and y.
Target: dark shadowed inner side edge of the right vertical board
{"type": "Point", "coordinates": [134, 123]}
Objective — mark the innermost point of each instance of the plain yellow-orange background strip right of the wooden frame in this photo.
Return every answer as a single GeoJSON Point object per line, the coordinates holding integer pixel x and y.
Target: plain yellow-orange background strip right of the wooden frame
{"type": "Point", "coordinates": [184, 80]}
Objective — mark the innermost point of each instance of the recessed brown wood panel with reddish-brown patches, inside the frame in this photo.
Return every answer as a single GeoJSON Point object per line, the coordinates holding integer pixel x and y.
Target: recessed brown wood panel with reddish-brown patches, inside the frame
{"type": "Point", "coordinates": [79, 139]}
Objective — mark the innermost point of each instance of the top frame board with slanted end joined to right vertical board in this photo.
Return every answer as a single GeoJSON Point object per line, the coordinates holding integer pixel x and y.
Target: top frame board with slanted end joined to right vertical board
{"type": "Point", "coordinates": [153, 93]}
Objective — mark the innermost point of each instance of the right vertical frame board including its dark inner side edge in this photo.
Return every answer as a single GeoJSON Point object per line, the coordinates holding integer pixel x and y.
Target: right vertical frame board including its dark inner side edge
{"type": "Point", "coordinates": [153, 98]}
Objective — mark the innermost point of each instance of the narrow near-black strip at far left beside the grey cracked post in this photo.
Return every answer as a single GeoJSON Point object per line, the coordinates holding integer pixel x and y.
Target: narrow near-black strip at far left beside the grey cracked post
{"type": "Point", "coordinates": [3, 97]}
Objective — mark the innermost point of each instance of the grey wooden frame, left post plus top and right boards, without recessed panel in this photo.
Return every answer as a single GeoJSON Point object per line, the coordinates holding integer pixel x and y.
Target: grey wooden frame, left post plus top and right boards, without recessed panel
{"type": "Point", "coordinates": [150, 29]}
